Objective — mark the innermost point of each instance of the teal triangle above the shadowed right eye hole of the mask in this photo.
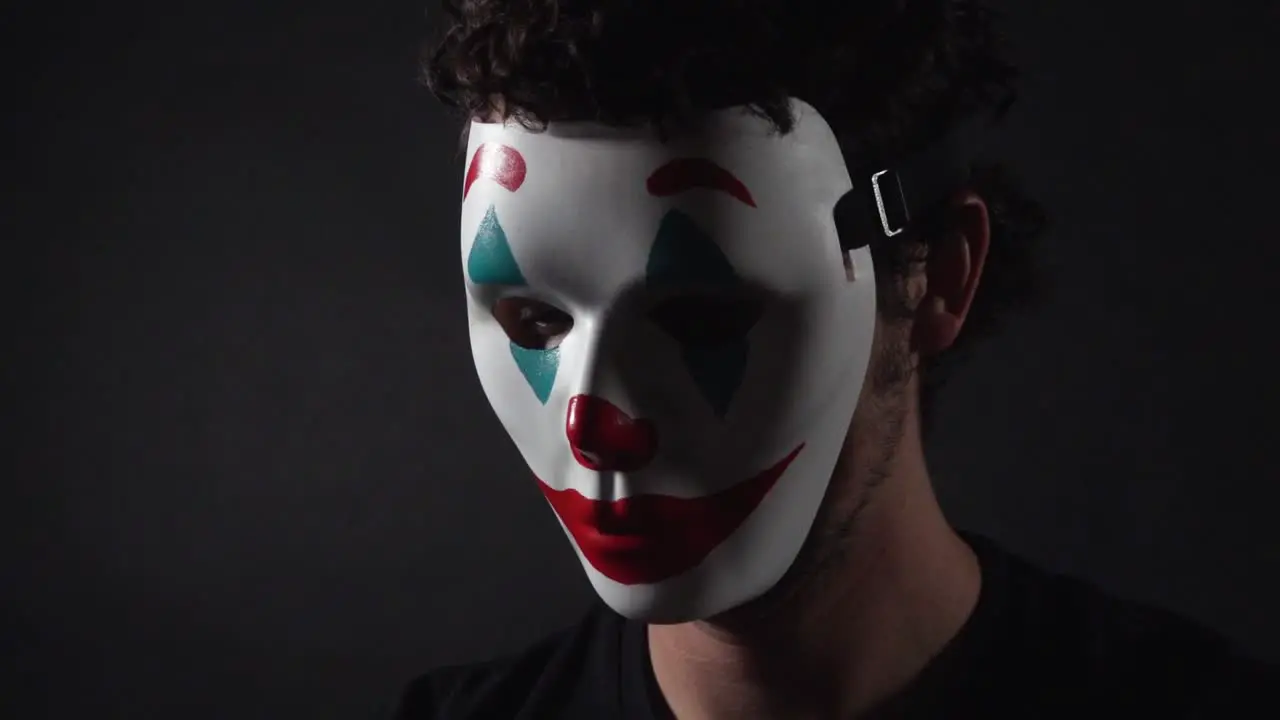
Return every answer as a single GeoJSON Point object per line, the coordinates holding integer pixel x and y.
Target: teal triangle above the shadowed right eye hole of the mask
{"type": "Point", "coordinates": [685, 256]}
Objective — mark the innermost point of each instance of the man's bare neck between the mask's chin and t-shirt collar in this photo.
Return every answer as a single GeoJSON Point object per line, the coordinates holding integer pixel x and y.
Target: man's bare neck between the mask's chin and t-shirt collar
{"type": "Point", "coordinates": [845, 637]}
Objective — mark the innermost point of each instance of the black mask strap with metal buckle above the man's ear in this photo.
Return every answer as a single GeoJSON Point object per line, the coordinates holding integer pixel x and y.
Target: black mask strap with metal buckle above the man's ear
{"type": "Point", "coordinates": [886, 202]}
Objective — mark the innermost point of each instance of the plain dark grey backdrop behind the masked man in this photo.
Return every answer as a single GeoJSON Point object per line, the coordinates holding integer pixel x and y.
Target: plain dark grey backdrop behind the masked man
{"type": "Point", "coordinates": [257, 476]}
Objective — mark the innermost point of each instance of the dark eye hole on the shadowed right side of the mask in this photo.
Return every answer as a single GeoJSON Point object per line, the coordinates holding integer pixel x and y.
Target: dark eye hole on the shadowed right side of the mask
{"type": "Point", "coordinates": [707, 318]}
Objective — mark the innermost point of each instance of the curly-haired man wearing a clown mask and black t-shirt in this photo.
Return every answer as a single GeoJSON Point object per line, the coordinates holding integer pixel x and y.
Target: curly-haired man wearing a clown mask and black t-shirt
{"type": "Point", "coordinates": [715, 257]}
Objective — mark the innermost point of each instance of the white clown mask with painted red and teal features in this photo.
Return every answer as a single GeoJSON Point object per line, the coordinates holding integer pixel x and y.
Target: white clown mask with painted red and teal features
{"type": "Point", "coordinates": [697, 343]}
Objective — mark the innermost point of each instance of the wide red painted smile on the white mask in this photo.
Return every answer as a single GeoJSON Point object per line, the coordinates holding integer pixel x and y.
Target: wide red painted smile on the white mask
{"type": "Point", "coordinates": [648, 539]}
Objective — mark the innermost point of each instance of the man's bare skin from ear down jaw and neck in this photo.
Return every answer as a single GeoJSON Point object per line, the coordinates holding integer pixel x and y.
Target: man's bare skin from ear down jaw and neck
{"type": "Point", "coordinates": [884, 581]}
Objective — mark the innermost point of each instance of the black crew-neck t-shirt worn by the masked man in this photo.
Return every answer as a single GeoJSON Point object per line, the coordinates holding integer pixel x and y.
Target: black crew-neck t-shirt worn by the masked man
{"type": "Point", "coordinates": [1037, 646]}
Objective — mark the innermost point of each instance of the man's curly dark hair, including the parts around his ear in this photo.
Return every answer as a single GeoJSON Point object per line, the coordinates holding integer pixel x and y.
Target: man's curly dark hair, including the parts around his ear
{"type": "Point", "coordinates": [889, 76]}
